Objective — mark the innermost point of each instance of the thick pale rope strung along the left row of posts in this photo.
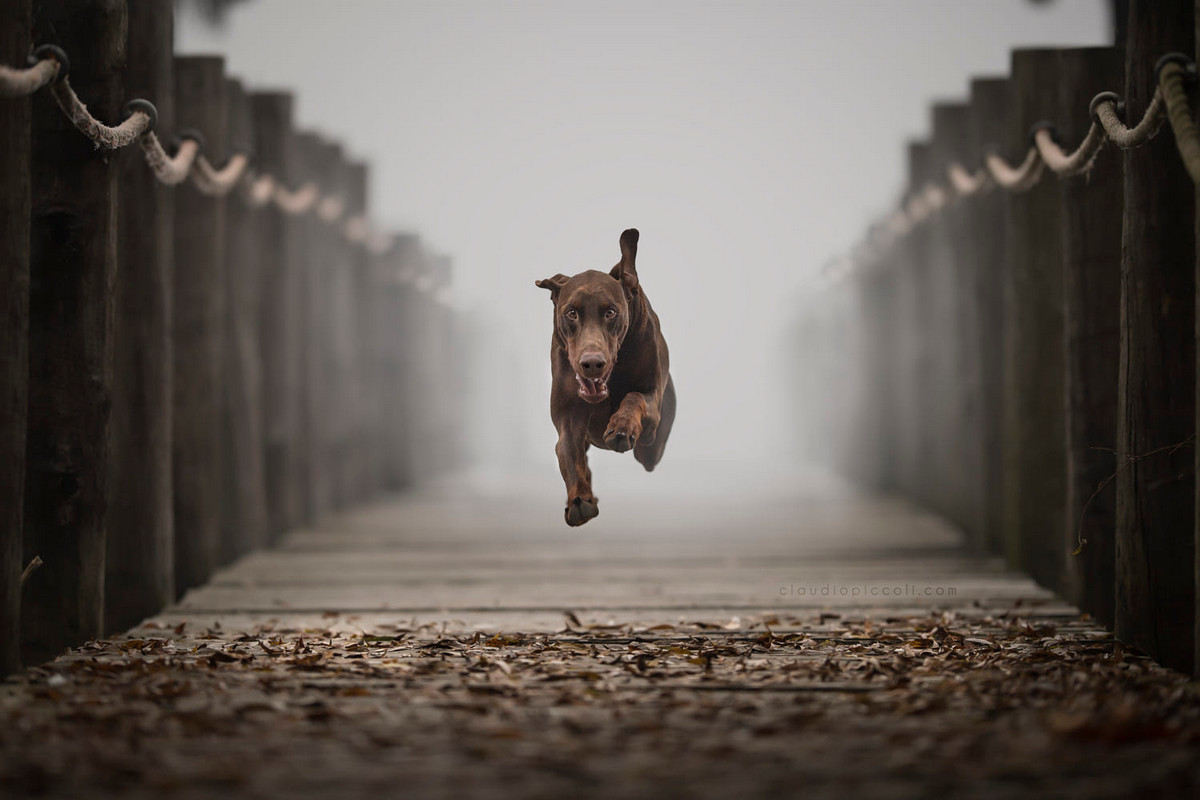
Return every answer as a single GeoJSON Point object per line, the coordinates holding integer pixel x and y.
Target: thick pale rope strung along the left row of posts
{"type": "Point", "coordinates": [49, 68]}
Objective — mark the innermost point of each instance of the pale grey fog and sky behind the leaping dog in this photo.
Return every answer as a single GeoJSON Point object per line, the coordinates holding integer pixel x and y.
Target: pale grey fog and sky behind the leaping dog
{"type": "Point", "coordinates": [748, 142]}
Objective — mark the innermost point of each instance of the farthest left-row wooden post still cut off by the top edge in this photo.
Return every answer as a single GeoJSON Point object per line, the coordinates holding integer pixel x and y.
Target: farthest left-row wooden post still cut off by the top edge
{"type": "Point", "coordinates": [141, 551]}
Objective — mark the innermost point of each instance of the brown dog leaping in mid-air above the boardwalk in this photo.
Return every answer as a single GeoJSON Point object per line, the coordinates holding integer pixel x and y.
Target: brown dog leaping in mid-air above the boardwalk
{"type": "Point", "coordinates": [611, 375]}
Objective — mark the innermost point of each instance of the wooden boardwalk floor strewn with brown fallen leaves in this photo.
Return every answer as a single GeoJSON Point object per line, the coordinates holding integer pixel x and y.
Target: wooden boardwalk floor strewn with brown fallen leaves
{"type": "Point", "coordinates": [793, 641]}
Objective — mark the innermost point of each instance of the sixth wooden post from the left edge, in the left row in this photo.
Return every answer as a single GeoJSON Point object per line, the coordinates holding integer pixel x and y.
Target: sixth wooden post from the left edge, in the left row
{"type": "Point", "coordinates": [274, 157]}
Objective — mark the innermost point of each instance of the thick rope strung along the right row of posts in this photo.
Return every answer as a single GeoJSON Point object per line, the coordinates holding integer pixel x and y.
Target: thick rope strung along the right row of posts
{"type": "Point", "coordinates": [1046, 153]}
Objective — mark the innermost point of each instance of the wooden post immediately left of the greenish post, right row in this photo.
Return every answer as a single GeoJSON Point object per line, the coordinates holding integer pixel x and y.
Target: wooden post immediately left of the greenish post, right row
{"type": "Point", "coordinates": [986, 267]}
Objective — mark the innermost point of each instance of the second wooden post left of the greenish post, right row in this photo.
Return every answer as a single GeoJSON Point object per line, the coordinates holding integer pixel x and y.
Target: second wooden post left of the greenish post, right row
{"type": "Point", "coordinates": [956, 454]}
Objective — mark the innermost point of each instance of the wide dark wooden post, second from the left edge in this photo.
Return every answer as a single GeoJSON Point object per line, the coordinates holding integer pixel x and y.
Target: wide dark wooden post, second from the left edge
{"type": "Point", "coordinates": [73, 269]}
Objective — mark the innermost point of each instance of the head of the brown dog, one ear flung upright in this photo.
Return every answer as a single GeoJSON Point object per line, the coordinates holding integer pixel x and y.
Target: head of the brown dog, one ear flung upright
{"type": "Point", "coordinates": [592, 316]}
